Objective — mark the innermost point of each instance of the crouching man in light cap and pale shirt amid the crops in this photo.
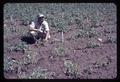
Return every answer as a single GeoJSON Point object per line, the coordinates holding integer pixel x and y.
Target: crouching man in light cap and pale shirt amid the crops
{"type": "Point", "coordinates": [40, 28]}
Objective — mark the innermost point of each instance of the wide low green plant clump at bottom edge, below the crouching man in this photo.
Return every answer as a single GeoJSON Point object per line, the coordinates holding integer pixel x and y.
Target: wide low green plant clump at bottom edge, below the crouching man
{"type": "Point", "coordinates": [37, 73]}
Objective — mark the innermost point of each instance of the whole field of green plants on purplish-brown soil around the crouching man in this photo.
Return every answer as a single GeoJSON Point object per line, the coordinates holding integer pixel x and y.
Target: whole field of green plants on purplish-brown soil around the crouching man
{"type": "Point", "coordinates": [81, 55]}
